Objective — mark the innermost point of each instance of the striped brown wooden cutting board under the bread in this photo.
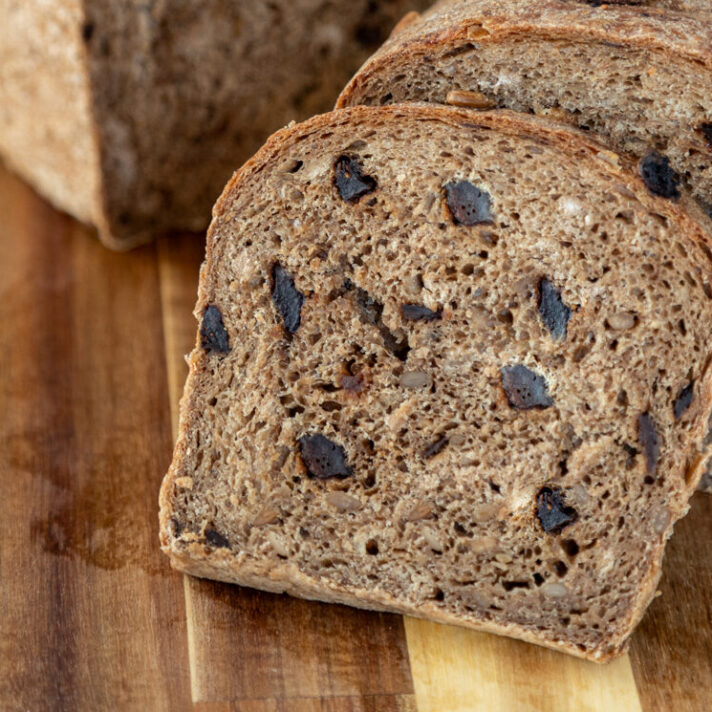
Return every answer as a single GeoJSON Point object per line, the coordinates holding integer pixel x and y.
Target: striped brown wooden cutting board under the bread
{"type": "Point", "coordinates": [93, 618]}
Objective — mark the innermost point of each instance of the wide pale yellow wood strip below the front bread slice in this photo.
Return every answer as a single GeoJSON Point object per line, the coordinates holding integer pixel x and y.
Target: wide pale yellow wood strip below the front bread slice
{"type": "Point", "coordinates": [462, 671]}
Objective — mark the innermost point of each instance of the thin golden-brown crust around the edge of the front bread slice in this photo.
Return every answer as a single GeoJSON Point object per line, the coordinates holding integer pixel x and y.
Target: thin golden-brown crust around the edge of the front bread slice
{"type": "Point", "coordinates": [245, 569]}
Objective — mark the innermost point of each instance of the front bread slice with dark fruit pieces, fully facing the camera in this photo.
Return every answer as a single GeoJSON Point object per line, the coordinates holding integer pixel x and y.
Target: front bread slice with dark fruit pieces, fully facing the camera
{"type": "Point", "coordinates": [448, 364]}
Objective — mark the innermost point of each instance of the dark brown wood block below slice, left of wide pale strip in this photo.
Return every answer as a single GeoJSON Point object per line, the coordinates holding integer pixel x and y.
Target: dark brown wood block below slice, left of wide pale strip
{"type": "Point", "coordinates": [250, 644]}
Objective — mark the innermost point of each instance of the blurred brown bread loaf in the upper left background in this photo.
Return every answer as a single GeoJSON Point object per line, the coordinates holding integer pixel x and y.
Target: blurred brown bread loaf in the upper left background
{"type": "Point", "coordinates": [132, 115]}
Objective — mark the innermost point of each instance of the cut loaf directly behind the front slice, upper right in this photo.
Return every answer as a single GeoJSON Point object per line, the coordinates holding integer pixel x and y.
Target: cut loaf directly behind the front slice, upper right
{"type": "Point", "coordinates": [638, 73]}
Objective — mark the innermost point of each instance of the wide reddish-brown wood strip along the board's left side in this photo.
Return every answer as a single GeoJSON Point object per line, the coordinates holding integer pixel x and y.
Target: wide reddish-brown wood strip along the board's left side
{"type": "Point", "coordinates": [92, 617]}
